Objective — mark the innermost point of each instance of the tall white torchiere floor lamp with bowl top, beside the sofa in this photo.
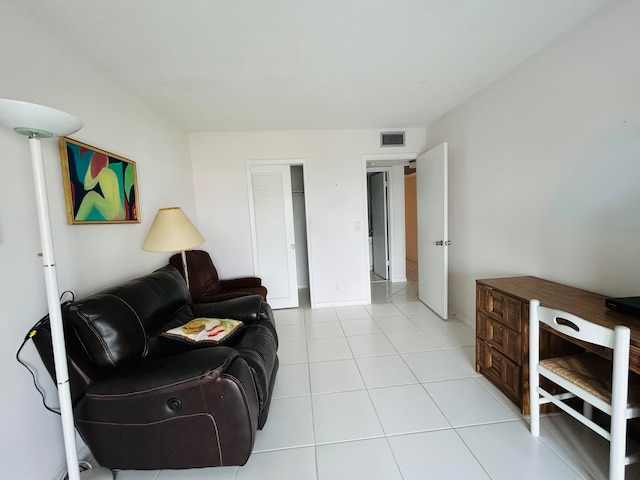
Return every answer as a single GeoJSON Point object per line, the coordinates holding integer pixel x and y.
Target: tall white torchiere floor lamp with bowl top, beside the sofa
{"type": "Point", "coordinates": [36, 122]}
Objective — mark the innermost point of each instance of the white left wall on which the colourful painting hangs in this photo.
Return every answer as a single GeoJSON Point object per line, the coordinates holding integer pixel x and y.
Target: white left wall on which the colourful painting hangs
{"type": "Point", "coordinates": [41, 69]}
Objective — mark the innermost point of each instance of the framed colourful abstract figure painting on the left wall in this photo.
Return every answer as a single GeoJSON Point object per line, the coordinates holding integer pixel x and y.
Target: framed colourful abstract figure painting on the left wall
{"type": "Point", "coordinates": [99, 187]}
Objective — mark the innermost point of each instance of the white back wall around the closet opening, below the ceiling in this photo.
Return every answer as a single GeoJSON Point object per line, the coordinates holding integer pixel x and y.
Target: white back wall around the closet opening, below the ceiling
{"type": "Point", "coordinates": [336, 201]}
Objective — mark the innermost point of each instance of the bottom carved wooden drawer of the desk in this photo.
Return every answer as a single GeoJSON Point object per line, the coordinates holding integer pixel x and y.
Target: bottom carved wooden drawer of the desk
{"type": "Point", "coordinates": [503, 372]}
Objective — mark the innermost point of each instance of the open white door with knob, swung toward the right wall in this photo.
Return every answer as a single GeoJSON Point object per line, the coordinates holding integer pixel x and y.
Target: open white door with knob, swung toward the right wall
{"type": "Point", "coordinates": [433, 240]}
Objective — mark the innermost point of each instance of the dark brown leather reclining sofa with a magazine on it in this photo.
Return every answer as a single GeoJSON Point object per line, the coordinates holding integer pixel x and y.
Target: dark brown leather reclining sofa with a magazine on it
{"type": "Point", "coordinates": [144, 401]}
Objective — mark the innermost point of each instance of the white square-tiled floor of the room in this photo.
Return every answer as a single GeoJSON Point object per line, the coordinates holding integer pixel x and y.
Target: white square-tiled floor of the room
{"type": "Point", "coordinates": [389, 391]}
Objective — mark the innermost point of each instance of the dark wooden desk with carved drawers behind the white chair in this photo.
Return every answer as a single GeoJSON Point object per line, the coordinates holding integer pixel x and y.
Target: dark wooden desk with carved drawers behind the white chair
{"type": "Point", "coordinates": [502, 329]}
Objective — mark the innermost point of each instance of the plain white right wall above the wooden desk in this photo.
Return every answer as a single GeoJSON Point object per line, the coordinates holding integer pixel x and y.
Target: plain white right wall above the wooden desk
{"type": "Point", "coordinates": [545, 166]}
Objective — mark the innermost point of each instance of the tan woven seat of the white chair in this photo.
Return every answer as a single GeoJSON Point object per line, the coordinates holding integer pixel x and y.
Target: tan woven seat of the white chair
{"type": "Point", "coordinates": [592, 373]}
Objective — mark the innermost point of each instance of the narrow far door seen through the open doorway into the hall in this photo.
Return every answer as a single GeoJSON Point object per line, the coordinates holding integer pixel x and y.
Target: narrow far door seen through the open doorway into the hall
{"type": "Point", "coordinates": [379, 228]}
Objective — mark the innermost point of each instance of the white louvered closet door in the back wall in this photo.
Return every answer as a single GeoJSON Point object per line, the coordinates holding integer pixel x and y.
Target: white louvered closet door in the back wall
{"type": "Point", "coordinates": [274, 253]}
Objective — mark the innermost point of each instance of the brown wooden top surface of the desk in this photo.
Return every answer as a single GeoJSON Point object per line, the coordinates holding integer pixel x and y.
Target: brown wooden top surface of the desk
{"type": "Point", "coordinates": [587, 305]}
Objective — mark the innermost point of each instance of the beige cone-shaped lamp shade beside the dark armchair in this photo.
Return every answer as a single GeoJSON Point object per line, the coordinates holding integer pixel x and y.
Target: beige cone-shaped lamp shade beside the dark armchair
{"type": "Point", "coordinates": [172, 231]}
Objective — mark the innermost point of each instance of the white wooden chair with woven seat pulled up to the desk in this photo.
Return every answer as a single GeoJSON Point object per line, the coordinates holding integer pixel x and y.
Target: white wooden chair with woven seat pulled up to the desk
{"type": "Point", "coordinates": [598, 382]}
